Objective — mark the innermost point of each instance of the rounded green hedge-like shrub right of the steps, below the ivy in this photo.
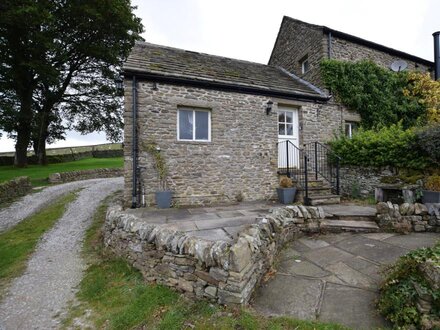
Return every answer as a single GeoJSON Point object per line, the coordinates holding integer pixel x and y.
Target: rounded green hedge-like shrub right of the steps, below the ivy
{"type": "Point", "coordinates": [388, 146]}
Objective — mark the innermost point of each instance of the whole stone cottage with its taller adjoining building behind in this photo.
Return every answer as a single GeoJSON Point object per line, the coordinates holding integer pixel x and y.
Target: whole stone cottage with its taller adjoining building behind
{"type": "Point", "coordinates": [226, 128]}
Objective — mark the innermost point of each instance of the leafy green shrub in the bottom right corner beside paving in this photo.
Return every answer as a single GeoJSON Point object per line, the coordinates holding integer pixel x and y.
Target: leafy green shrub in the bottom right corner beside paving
{"type": "Point", "coordinates": [398, 293]}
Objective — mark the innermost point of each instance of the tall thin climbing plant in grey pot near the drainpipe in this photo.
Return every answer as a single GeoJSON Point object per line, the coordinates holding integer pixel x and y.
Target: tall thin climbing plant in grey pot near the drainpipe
{"type": "Point", "coordinates": [163, 196]}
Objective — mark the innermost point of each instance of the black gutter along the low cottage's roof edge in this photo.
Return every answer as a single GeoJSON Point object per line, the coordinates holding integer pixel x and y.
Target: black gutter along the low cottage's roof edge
{"type": "Point", "coordinates": [224, 86]}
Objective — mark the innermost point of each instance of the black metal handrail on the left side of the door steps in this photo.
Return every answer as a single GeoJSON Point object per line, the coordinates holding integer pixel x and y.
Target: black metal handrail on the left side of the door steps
{"type": "Point", "coordinates": [294, 163]}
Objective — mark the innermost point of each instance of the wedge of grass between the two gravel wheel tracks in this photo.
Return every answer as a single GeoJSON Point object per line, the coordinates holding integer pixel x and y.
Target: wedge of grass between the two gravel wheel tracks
{"type": "Point", "coordinates": [19, 242]}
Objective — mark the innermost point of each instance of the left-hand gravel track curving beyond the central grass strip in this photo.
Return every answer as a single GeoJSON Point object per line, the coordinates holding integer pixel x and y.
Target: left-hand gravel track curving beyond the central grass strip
{"type": "Point", "coordinates": [32, 203]}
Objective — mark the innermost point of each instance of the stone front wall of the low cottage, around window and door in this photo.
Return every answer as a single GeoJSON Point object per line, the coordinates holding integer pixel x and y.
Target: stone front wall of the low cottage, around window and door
{"type": "Point", "coordinates": [241, 158]}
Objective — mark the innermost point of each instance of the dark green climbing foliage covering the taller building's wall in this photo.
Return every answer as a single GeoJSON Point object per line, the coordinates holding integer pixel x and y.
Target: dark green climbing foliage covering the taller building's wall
{"type": "Point", "coordinates": [376, 93]}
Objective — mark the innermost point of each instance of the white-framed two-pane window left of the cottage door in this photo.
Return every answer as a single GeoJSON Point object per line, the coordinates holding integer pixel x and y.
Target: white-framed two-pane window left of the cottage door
{"type": "Point", "coordinates": [193, 124]}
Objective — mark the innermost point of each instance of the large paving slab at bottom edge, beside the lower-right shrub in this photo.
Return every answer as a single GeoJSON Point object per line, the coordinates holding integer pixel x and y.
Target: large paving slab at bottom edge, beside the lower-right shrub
{"type": "Point", "coordinates": [350, 306]}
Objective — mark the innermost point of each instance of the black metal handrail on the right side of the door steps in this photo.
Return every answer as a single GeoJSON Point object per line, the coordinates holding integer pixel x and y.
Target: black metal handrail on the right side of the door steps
{"type": "Point", "coordinates": [325, 164]}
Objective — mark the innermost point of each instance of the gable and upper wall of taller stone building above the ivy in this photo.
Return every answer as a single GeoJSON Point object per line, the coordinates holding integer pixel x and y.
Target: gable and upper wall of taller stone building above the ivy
{"type": "Point", "coordinates": [301, 46]}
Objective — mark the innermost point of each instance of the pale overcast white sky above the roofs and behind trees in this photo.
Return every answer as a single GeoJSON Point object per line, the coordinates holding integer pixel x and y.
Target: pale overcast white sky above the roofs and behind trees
{"type": "Point", "coordinates": [247, 29]}
